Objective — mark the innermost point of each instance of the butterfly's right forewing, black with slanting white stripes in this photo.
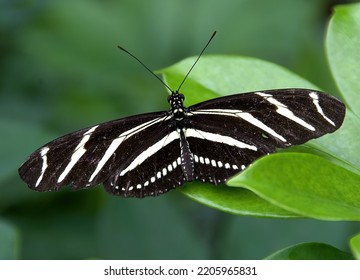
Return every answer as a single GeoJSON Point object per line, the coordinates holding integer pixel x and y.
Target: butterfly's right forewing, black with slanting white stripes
{"type": "Point", "coordinates": [274, 117]}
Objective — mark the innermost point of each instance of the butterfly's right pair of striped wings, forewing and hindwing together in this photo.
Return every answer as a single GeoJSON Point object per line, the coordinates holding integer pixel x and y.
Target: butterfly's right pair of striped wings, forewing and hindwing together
{"type": "Point", "coordinates": [229, 133]}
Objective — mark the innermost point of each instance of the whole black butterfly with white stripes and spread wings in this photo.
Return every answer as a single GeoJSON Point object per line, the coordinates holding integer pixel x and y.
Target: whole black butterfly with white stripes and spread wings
{"type": "Point", "coordinates": [150, 154]}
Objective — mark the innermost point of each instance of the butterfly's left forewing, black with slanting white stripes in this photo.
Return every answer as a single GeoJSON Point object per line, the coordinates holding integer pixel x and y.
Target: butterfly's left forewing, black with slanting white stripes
{"type": "Point", "coordinates": [89, 156]}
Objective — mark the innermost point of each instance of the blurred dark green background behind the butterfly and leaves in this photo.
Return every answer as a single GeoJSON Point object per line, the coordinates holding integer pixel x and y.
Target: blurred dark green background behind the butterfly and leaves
{"type": "Point", "coordinates": [61, 71]}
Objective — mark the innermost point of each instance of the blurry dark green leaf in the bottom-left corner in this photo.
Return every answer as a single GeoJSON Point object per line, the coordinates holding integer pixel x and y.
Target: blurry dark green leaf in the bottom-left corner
{"type": "Point", "coordinates": [9, 240]}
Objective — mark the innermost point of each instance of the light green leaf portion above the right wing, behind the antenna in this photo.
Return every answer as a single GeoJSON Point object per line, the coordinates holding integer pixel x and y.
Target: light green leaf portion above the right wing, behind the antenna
{"type": "Point", "coordinates": [229, 74]}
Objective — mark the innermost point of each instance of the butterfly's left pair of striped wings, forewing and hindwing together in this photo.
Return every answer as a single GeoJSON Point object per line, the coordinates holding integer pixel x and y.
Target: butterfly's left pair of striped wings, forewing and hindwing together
{"type": "Point", "coordinates": [133, 157]}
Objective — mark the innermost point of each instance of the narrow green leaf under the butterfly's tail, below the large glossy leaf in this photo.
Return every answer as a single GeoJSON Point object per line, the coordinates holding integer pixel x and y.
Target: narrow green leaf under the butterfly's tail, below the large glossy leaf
{"type": "Point", "coordinates": [234, 200]}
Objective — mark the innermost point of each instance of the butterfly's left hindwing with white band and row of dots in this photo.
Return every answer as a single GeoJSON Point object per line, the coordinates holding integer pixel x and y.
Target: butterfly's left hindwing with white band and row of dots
{"type": "Point", "coordinates": [159, 172]}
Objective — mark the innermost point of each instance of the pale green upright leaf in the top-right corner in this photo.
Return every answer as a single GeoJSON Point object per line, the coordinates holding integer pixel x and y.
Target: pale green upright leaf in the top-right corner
{"type": "Point", "coordinates": [342, 45]}
